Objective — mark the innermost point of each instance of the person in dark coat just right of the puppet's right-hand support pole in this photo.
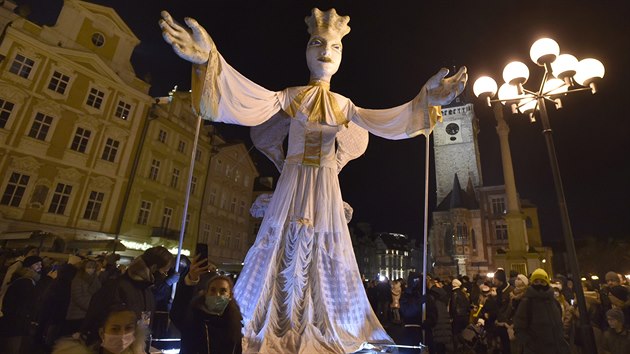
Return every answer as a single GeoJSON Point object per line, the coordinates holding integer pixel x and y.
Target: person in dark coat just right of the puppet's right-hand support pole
{"type": "Point", "coordinates": [437, 325]}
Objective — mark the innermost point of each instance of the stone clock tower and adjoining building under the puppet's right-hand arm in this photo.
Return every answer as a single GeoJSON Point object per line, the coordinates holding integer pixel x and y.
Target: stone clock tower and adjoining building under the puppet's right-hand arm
{"type": "Point", "coordinates": [469, 232]}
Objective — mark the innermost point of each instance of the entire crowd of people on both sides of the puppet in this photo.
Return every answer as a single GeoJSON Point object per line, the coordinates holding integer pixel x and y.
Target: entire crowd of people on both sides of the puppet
{"type": "Point", "coordinates": [90, 304]}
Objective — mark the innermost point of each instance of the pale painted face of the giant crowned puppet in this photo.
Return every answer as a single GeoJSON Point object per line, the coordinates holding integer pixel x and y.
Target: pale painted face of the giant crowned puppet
{"type": "Point", "coordinates": [323, 55]}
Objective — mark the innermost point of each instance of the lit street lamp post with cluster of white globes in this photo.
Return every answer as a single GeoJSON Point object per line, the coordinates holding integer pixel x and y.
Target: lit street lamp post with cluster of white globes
{"type": "Point", "coordinates": [564, 74]}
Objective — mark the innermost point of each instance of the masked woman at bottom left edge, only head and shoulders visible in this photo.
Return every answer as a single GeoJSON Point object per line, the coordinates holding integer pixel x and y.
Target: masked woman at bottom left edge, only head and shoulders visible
{"type": "Point", "coordinates": [118, 333]}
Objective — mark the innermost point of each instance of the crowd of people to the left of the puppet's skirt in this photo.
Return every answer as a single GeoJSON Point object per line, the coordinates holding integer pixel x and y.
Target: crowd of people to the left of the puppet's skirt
{"type": "Point", "coordinates": [89, 304]}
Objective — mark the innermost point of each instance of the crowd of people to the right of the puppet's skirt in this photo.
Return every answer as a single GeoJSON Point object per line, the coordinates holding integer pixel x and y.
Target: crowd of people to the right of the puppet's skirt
{"type": "Point", "coordinates": [508, 313]}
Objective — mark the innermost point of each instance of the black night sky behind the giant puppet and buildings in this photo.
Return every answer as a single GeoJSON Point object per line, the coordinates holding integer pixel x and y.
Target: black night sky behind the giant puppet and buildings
{"type": "Point", "coordinates": [390, 52]}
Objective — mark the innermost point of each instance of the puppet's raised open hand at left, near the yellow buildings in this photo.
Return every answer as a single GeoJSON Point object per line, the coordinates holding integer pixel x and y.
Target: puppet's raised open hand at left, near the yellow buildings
{"type": "Point", "coordinates": [194, 45]}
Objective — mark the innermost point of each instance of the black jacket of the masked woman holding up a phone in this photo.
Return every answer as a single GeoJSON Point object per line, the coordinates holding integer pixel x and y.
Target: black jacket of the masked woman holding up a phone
{"type": "Point", "coordinates": [203, 333]}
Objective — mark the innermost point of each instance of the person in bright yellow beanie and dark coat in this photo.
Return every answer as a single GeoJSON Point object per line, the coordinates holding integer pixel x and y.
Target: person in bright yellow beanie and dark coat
{"type": "Point", "coordinates": [538, 319]}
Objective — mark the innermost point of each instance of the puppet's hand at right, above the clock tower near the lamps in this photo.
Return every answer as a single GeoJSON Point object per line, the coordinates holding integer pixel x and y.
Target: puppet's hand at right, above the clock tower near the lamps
{"type": "Point", "coordinates": [441, 91]}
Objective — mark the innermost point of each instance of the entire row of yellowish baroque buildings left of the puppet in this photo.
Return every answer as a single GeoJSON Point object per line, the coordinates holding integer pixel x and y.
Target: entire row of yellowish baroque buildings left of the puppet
{"type": "Point", "coordinates": [88, 157]}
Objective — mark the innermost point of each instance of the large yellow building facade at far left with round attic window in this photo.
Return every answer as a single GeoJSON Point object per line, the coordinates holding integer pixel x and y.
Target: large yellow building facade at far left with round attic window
{"type": "Point", "coordinates": [70, 111]}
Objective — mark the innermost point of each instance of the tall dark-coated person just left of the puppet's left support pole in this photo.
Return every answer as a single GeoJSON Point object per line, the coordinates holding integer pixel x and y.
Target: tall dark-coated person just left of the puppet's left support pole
{"type": "Point", "coordinates": [132, 288]}
